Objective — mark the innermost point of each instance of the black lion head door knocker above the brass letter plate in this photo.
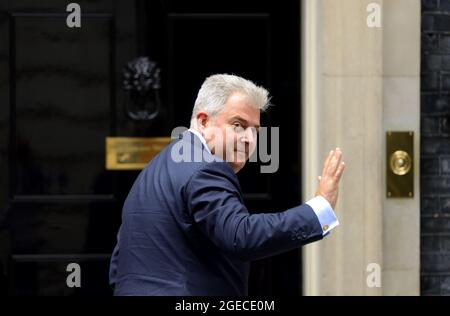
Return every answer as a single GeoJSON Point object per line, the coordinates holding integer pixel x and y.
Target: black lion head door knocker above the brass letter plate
{"type": "Point", "coordinates": [141, 82]}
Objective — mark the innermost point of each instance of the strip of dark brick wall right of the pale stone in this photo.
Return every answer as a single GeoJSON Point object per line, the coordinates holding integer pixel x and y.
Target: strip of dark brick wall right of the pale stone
{"type": "Point", "coordinates": [435, 148]}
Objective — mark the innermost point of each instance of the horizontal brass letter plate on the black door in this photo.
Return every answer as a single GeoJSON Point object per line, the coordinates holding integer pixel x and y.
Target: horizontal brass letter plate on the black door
{"type": "Point", "coordinates": [132, 153]}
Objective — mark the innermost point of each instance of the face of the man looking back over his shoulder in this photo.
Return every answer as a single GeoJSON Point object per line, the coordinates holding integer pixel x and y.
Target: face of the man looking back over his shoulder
{"type": "Point", "coordinates": [232, 133]}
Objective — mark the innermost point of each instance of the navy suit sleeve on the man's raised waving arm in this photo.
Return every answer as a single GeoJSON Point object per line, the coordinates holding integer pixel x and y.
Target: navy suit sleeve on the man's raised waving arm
{"type": "Point", "coordinates": [215, 206]}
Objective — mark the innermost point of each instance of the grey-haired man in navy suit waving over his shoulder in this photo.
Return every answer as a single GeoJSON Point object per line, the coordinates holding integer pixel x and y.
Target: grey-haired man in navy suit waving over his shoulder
{"type": "Point", "coordinates": [185, 229]}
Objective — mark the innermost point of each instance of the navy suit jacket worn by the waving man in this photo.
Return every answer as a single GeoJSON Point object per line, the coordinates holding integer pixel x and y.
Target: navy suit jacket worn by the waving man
{"type": "Point", "coordinates": [186, 231]}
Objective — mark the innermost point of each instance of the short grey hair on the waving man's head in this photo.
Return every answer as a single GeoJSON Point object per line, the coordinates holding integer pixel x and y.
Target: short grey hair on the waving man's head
{"type": "Point", "coordinates": [216, 90]}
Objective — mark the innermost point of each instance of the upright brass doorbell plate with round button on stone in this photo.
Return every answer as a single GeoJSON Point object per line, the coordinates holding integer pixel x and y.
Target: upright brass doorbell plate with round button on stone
{"type": "Point", "coordinates": [400, 164]}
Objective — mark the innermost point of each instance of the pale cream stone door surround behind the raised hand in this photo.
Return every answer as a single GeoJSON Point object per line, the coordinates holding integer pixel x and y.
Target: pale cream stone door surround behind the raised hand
{"type": "Point", "coordinates": [357, 83]}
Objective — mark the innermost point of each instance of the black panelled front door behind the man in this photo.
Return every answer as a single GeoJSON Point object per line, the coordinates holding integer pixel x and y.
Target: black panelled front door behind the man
{"type": "Point", "coordinates": [62, 94]}
